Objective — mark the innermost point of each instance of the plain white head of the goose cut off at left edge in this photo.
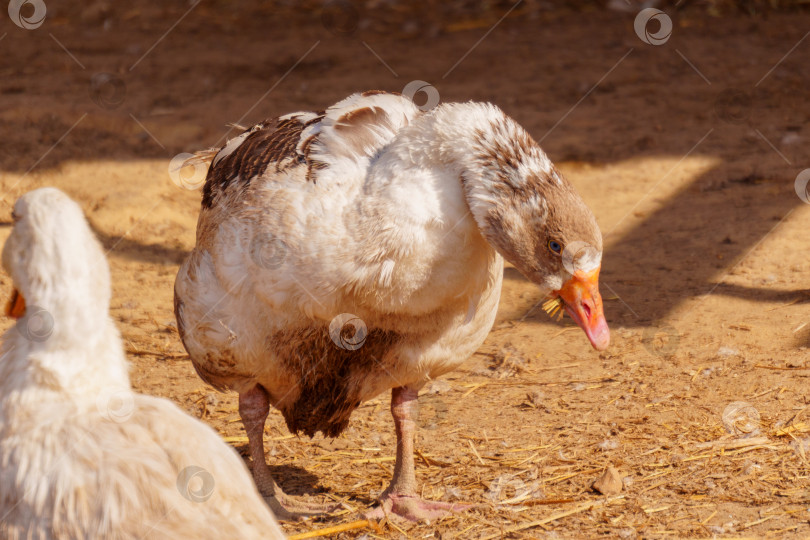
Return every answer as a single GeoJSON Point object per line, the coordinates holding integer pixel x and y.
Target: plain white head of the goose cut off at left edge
{"type": "Point", "coordinates": [60, 276]}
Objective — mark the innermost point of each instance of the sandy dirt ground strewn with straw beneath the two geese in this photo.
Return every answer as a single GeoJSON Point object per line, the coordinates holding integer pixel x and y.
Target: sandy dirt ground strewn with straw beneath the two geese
{"type": "Point", "coordinates": [688, 152]}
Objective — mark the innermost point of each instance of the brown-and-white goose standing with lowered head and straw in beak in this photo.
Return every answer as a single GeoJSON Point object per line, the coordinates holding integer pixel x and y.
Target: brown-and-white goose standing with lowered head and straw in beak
{"type": "Point", "coordinates": [347, 252]}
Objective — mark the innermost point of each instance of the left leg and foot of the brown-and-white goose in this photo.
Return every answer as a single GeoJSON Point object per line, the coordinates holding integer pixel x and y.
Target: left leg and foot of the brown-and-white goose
{"type": "Point", "coordinates": [254, 405]}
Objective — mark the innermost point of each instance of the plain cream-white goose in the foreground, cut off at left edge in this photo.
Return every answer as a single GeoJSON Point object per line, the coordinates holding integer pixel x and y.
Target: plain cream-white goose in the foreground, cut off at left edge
{"type": "Point", "coordinates": [81, 455]}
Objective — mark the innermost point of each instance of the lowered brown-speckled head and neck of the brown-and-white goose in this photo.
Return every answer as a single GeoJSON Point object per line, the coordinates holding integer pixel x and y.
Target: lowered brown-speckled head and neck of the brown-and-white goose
{"type": "Point", "coordinates": [529, 213]}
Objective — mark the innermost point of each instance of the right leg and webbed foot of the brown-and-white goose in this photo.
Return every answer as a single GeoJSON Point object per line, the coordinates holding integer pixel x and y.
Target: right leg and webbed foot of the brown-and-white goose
{"type": "Point", "coordinates": [400, 498]}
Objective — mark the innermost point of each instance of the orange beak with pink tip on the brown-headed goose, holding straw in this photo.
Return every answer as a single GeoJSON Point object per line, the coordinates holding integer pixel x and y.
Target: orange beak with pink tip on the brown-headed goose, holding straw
{"type": "Point", "coordinates": [582, 301]}
